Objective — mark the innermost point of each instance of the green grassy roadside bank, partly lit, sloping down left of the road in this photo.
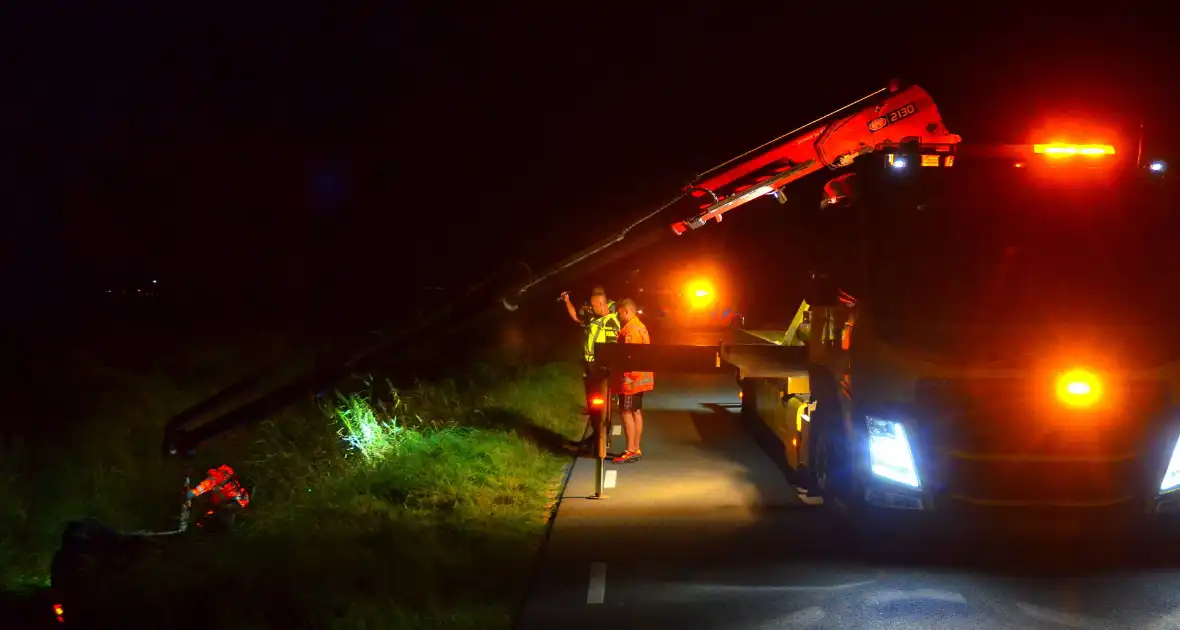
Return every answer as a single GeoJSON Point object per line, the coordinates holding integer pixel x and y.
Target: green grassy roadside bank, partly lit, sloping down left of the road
{"type": "Point", "coordinates": [383, 508]}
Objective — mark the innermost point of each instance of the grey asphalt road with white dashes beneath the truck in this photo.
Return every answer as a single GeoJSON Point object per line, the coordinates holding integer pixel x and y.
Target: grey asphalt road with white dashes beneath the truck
{"type": "Point", "coordinates": [705, 533]}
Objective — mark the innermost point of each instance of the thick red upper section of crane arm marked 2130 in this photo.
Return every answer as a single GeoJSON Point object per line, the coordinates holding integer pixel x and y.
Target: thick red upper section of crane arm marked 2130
{"type": "Point", "coordinates": [889, 116]}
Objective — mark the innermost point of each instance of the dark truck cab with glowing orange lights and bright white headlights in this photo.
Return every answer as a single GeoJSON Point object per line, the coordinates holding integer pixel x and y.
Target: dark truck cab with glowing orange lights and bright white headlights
{"type": "Point", "coordinates": [994, 331]}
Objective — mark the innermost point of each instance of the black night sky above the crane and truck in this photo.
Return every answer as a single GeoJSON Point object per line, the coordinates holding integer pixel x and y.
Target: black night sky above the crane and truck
{"type": "Point", "coordinates": [418, 147]}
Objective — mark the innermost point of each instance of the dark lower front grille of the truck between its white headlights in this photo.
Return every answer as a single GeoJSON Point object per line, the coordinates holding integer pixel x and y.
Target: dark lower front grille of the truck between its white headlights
{"type": "Point", "coordinates": [1005, 442]}
